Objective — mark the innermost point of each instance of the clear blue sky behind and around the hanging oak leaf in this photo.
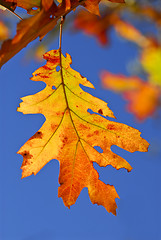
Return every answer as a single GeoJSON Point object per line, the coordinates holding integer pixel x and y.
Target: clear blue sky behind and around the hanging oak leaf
{"type": "Point", "coordinates": [30, 208]}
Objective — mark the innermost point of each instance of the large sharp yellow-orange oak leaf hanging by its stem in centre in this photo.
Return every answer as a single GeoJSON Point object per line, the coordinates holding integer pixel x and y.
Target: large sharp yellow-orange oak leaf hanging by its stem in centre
{"type": "Point", "coordinates": [70, 133]}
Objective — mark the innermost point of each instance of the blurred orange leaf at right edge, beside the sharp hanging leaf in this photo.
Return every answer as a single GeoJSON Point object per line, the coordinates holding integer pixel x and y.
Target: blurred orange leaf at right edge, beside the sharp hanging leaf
{"type": "Point", "coordinates": [143, 97]}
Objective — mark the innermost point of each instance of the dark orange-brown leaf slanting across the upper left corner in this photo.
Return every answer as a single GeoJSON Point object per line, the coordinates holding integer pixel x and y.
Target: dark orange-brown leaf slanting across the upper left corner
{"type": "Point", "coordinates": [27, 30]}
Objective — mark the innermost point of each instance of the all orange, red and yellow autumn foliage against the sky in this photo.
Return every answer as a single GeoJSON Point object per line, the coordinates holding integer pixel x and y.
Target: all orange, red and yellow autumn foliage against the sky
{"type": "Point", "coordinates": [71, 132]}
